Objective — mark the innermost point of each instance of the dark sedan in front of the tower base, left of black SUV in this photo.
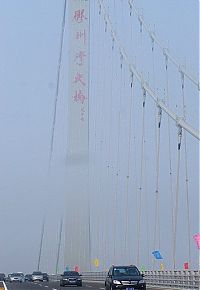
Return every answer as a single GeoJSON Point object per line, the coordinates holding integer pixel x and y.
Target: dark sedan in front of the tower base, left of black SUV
{"type": "Point", "coordinates": [70, 278]}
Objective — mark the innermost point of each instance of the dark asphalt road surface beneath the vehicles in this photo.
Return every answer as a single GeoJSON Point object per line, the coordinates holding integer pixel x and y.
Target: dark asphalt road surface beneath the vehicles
{"type": "Point", "coordinates": [54, 286]}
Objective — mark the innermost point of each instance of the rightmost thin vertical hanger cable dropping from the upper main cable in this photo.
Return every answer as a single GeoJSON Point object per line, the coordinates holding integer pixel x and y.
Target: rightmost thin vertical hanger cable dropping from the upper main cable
{"type": "Point", "coordinates": [186, 171]}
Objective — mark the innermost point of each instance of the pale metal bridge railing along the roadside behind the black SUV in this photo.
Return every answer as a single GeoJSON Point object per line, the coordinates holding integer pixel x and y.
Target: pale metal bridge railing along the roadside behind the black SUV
{"type": "Point", "coordinates": [175, 279]}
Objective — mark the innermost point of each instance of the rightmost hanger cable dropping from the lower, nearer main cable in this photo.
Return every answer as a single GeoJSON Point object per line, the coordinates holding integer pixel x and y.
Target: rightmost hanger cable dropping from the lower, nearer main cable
{"type": "Point", "coordinates": [177, 196]}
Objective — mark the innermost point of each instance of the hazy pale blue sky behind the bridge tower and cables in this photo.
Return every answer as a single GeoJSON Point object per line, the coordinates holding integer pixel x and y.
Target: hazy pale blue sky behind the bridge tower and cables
{"type": "Point", "coordinates": [30, 35]}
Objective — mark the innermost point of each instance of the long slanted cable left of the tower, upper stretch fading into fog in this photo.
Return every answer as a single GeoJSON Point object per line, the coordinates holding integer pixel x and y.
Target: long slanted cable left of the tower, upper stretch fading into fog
{"type": "Point", "coordinates": [57, 85]}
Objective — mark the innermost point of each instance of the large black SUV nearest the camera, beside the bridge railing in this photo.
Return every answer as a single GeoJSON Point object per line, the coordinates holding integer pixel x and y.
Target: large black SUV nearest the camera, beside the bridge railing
{"type": "Point", "coordinates": [124, 277]}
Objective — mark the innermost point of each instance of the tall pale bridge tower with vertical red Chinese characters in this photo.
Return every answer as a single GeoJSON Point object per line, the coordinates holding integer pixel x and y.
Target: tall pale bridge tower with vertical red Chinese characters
{"type": "Point", "coordinates": [77, 239]}
